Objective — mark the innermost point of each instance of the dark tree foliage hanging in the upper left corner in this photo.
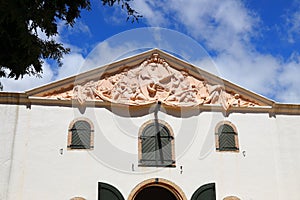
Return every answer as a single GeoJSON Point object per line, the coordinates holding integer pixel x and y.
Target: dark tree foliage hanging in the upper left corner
{"type": "Point", "coordinates": [22, 50]}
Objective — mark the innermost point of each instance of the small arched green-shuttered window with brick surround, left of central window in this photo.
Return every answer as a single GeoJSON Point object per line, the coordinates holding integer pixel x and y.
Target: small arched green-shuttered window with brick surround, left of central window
{"type": "Point", "coordinates": [81, 134]}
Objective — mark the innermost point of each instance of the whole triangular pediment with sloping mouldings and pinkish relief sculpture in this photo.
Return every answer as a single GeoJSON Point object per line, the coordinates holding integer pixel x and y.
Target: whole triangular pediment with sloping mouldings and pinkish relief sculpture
{"type": "Point", "coordinates": [150, 77]}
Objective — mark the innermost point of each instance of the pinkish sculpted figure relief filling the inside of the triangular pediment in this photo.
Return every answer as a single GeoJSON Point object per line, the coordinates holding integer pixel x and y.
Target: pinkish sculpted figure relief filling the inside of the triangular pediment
{"type": "Point", "coordinates": [153, 80]}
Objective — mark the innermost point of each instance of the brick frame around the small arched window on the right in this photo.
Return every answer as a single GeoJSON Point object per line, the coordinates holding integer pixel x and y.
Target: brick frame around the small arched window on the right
{"type": "Point", "coordinates": [217, 138]}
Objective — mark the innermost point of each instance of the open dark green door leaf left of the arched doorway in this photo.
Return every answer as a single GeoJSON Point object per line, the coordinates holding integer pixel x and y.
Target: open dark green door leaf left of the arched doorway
{"type": "Point", "coordinates": [108, 192]}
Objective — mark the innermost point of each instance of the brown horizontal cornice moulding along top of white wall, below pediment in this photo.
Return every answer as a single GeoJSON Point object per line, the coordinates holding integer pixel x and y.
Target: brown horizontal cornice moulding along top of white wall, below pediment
{"type": "Point", "coordinates": [24, 99]}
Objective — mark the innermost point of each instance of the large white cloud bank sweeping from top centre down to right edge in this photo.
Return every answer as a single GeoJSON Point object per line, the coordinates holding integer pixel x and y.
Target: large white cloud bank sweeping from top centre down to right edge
{"type": "Point", "coordinates": [226, 28]}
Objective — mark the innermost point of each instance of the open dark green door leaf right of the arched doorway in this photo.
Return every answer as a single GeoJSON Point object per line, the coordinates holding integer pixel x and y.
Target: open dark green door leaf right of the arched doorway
{"type": "Point", "coordinates": [205, 192]}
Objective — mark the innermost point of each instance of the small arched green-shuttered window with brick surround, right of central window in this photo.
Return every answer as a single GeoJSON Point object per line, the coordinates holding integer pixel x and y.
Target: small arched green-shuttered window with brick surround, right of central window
{"type": "Point", "coordinates": [226, 137]}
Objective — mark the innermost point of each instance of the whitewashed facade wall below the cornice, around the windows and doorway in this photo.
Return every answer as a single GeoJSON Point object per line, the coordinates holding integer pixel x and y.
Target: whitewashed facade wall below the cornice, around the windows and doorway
{"type": "Point", "coordinates": [267, 166]}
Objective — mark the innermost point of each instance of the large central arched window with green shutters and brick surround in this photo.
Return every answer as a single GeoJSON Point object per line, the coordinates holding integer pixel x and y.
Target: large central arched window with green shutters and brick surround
{"type": "Point", "coordinates": [156, 145]}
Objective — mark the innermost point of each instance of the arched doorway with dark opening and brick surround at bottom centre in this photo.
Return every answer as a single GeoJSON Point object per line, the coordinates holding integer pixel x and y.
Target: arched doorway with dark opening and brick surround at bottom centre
{"type": "Point", "coordinates": [157, 188]}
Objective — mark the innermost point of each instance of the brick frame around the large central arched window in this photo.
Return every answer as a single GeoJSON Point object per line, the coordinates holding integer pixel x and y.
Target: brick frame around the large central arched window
{"type": "Point", "coordinates": [140, 150]}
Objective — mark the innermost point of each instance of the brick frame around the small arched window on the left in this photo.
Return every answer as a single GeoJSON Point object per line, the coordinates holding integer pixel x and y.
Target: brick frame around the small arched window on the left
{"type": "Point", "coordinates": [70, 134]}
